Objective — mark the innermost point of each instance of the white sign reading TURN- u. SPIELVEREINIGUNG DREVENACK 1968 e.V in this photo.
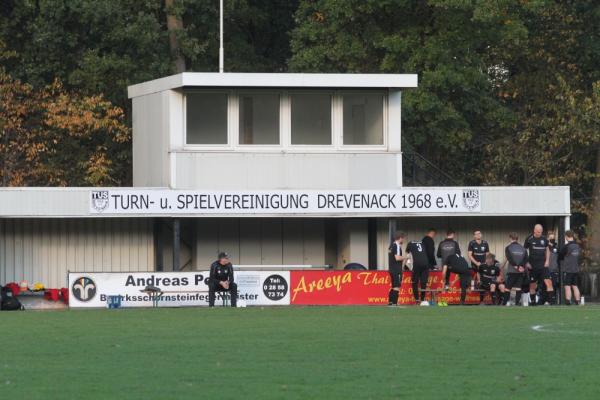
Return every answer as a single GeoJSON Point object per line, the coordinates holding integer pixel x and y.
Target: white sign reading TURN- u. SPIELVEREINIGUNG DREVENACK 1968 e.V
{"type": "Point", "coordinates": [157, 202]}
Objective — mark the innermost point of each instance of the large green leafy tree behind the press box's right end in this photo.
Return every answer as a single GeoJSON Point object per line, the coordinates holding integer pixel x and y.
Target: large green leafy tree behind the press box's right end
{"type": "Point", "coordinates": [452, 45]}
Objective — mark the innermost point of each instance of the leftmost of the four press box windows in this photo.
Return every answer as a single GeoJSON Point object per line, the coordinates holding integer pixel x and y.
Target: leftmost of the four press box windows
{"type": "Point", "coordinates": [206, 118]}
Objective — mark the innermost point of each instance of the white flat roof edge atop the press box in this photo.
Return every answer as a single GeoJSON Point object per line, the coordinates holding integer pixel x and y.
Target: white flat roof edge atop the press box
{"type": "Point", "coordinates": [284, 80]}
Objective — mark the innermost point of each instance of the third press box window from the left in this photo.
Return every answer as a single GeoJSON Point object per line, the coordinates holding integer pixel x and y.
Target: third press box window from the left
{"type": "Point", "coordinates": [311, 119]}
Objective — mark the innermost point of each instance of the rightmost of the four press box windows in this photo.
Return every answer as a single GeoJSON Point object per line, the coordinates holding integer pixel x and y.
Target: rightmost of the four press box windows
{"type": "Point", "coordinates": [363, 119]}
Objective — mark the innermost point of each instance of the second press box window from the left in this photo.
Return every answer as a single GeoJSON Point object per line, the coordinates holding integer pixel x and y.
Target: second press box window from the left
{"type": "Point", "coordinates": [259, 118]}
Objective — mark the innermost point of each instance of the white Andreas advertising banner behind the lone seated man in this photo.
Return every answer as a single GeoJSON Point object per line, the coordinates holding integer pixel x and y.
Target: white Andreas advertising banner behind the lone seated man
{"type": "Point", "coordinates": [255, 288]}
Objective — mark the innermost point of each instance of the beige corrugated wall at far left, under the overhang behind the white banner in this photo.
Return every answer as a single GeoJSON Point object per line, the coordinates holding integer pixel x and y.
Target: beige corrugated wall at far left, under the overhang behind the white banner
{"type": "Point", "coordinates": [43, 250]}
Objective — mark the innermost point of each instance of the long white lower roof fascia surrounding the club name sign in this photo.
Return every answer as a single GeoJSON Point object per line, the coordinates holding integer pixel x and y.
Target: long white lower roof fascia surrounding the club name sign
{"type": "Point", "coordinates": [75, 202]}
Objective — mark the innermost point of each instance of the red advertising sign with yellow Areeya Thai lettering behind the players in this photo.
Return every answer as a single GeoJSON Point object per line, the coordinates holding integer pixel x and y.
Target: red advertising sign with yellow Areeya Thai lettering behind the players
{"type": "Point", "coordinates": [363, 288]}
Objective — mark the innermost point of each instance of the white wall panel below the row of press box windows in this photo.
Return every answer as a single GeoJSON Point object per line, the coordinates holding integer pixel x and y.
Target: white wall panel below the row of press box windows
{"type": "Point", "coordinates": [264, 171]}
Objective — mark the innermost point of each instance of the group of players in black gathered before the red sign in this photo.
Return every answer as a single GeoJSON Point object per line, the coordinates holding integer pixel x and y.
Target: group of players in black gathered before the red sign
{"type": "Point", "coordinates": [529, 274]}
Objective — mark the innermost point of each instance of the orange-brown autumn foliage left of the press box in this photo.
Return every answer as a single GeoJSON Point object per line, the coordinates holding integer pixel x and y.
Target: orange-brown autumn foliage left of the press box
{"type": "Point", "coordinates": [54, 137]}
